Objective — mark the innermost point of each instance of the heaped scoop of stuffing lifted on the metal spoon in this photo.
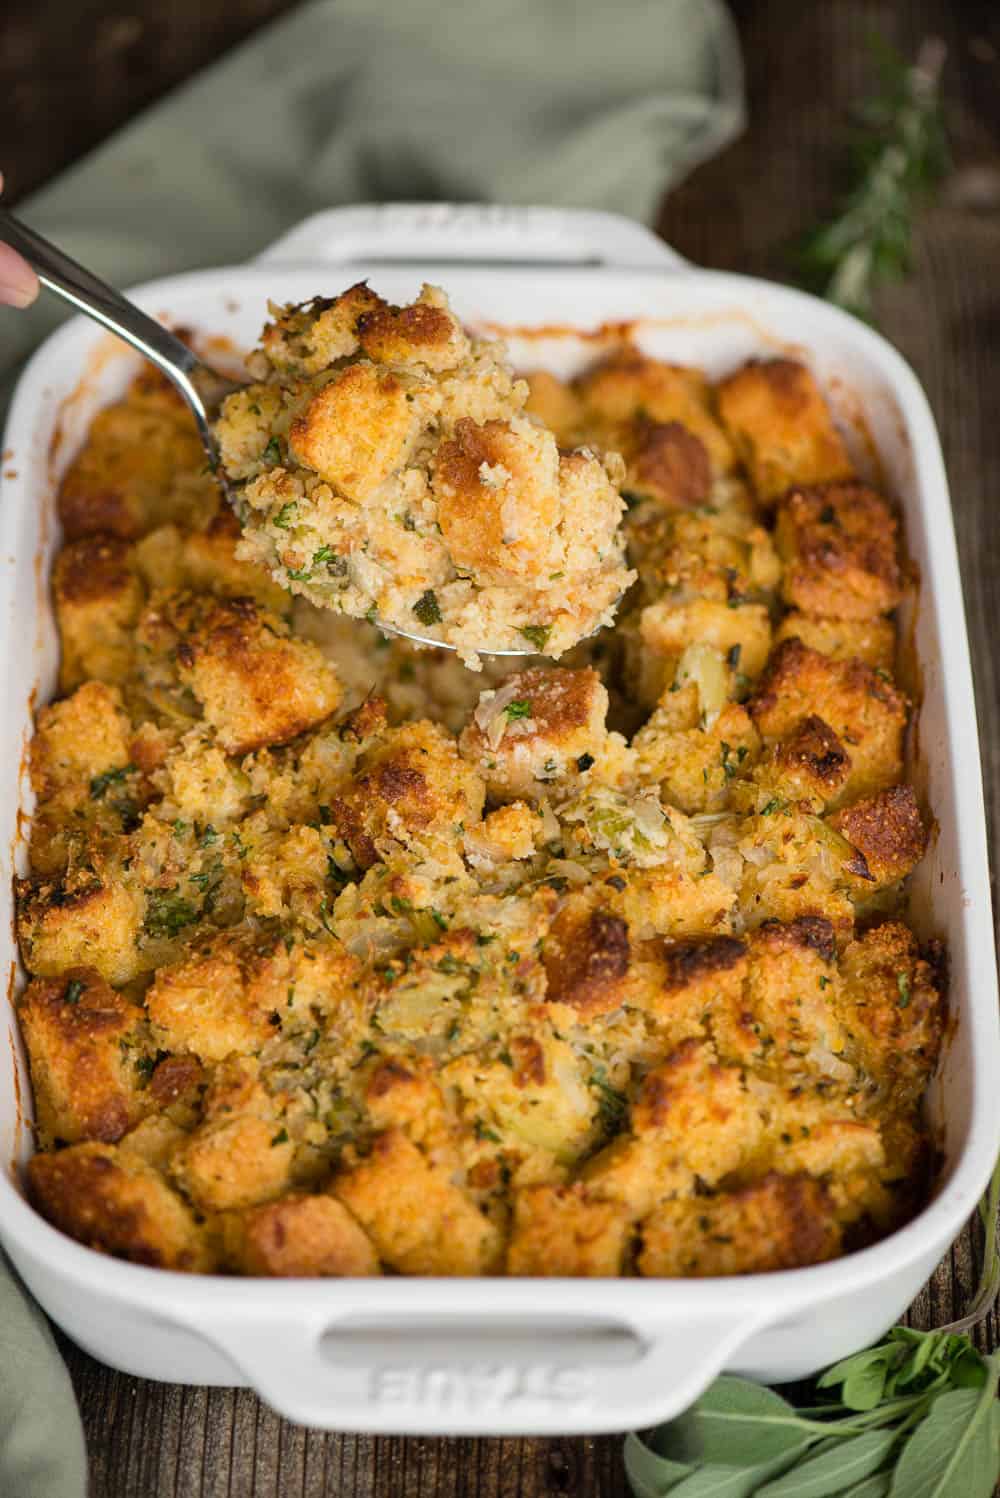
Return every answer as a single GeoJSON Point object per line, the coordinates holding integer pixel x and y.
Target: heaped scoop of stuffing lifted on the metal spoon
{"type": "Point", "coordinates": [384, 468]}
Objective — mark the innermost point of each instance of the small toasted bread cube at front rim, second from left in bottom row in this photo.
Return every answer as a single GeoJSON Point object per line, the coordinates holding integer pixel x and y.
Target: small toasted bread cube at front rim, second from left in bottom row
{"type": "Point", "coordinates": [300, 1237]}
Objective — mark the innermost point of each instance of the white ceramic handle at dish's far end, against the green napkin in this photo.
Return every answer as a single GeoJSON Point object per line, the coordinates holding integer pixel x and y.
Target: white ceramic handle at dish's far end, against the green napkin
{"type": "Point", "coordinates": [474, 233]}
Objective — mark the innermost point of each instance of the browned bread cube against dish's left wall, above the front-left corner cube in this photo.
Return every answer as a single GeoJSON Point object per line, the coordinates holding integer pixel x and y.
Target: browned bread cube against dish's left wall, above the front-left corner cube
{"type": "Point", "coordinates": [85, 1046]}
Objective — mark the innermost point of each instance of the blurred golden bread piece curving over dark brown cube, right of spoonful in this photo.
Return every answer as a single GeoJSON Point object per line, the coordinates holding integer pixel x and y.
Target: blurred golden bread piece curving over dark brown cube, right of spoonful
{"type": "Point", "coordinates": [629, 386]}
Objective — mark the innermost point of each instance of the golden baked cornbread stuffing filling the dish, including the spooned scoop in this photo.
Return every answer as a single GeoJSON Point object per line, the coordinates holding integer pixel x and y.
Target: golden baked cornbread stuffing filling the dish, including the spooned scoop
{"type": "Point", "coordinates": [345, 959]}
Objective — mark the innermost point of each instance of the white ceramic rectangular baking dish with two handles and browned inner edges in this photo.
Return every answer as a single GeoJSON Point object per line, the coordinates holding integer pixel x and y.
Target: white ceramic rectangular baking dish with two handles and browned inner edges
{"type": "Point", "coordinates": [438, 1356]}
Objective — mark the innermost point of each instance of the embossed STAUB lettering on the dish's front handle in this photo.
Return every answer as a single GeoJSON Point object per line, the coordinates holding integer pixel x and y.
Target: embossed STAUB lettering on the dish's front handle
{"type": "Point", "coordinates": [481, 1388]}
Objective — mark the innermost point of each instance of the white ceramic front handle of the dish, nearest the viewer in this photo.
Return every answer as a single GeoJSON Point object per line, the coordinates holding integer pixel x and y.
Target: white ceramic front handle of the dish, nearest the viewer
{"type": "Point", "coordinates": [463, 1376]}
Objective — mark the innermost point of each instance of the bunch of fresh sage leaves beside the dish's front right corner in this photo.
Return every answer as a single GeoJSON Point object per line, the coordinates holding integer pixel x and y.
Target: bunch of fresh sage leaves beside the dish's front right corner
{"type": "Point", "coordinates": [915, 1416]}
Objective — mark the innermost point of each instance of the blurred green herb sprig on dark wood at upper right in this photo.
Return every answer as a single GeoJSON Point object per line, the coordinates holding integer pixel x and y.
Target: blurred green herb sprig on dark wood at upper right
{"type": "Point", "coordinates": [900, 152]}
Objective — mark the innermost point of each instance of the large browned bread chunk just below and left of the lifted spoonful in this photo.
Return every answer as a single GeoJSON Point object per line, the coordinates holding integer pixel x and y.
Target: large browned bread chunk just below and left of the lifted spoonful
{"type": "Point", "coordinates": [257, 685]}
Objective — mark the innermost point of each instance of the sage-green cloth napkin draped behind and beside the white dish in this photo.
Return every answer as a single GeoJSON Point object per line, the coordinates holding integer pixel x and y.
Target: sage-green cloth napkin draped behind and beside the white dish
{"type": "Point", "coordinates": [598, 106]}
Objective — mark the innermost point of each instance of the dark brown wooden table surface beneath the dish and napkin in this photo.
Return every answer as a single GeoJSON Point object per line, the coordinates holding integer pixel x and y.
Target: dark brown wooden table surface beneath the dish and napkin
{"type": "Point", "coordinates": [73, 73]}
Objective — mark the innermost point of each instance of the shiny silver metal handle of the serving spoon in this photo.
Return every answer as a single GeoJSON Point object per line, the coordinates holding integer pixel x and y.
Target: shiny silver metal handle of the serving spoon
{"type": "Point", "coordinates": [107, 306]}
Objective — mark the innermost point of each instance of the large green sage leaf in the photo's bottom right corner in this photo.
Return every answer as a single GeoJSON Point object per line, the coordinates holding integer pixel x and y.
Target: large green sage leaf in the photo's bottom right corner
{"type": "Point", "coordinates": [953, 1454]}
